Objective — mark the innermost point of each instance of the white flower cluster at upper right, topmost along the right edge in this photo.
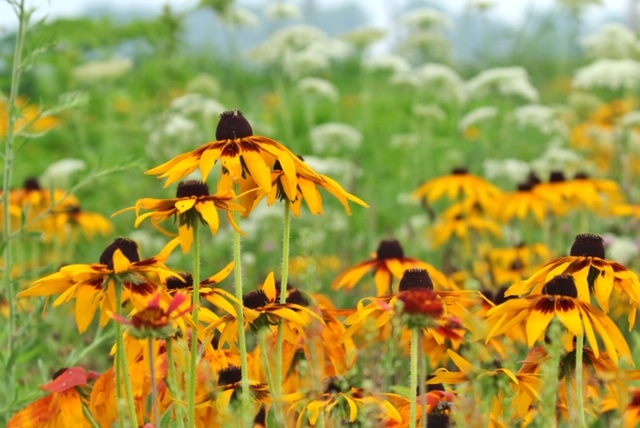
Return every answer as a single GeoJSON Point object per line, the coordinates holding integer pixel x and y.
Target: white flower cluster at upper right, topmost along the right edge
{"type": "Point", "coordinates": [613, 41]}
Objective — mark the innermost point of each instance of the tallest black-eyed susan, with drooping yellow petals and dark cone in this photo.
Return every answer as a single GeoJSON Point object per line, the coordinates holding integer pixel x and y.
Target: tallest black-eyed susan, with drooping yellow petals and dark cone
{"type": "Point", "coordinates": [244, 157]}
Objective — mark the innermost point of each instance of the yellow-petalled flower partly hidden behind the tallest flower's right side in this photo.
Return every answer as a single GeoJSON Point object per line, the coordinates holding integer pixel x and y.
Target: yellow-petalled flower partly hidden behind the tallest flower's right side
{"type": "Point", "coordinates": [308, 188]}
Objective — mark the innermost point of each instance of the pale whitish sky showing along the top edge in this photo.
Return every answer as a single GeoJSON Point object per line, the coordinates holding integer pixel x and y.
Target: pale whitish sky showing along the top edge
{"type": "Point", "coordinates": [512, 10]}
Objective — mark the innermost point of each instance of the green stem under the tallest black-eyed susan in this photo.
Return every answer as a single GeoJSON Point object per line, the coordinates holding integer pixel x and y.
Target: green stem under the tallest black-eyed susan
{"type": "Point", "coordinates": [242, 339]}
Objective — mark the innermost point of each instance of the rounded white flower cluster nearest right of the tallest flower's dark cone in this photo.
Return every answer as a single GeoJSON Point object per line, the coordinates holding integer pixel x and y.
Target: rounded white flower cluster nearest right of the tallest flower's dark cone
{"type": "Point", "coordinates": [335, 138]}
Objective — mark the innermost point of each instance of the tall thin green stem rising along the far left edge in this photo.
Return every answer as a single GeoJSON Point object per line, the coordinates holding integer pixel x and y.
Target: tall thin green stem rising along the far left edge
{"type": "Point", "coordinates": [9, 159]}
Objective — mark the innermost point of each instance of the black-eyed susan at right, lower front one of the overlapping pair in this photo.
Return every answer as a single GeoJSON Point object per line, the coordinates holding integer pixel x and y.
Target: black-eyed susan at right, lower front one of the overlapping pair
{"type": "Point", "coordinates": [559, 299]}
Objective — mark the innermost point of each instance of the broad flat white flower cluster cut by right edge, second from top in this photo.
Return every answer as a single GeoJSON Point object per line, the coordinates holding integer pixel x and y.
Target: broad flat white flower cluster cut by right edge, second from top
{"type": "Point", "coordinates": [613, 74]}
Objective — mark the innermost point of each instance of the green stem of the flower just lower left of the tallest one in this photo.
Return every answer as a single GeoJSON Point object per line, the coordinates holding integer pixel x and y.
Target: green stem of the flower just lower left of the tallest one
{"type": "Point", "coordinates": [193, 361]}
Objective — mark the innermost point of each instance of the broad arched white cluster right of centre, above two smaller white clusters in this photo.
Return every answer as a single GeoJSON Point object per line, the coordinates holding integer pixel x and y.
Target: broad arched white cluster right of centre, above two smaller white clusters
{"type": "Point", "coordinates": [504, 81]}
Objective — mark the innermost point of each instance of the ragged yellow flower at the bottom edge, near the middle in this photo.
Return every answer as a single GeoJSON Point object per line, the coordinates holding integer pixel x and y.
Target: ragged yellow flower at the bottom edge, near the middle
{"type": "Point", "coordinates": [341, 399]}
